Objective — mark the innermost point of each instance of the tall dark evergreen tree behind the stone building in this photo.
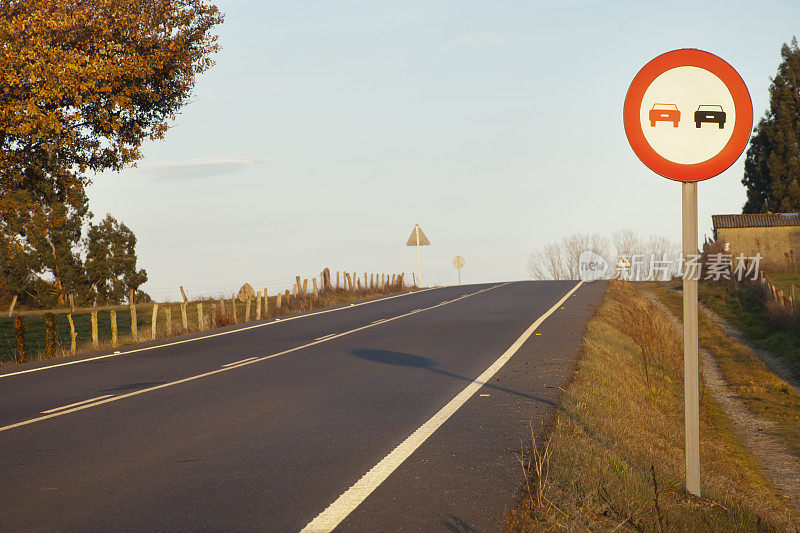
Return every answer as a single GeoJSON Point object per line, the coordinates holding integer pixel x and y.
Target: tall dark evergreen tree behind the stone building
{"type": "Point", "coordinates": [772, 166]}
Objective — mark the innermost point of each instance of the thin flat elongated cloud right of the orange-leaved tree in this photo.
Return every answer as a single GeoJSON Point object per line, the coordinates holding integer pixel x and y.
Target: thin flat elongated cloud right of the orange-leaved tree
{"type": "Point", "coordinates": [191, 169]}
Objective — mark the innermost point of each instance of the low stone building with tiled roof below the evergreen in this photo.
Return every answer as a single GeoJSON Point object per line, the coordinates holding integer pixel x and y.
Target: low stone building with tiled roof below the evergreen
{"type": "Point", "coordinates": [776, 236]}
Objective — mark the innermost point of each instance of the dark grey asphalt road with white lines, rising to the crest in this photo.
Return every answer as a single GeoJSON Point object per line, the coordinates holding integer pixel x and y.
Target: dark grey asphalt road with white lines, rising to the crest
{"type": "Point", "coordinates": [368, 418]}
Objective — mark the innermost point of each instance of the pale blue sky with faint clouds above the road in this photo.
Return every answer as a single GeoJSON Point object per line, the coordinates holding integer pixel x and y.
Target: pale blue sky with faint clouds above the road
{"type": "Point", "coordinates": [326, 130]}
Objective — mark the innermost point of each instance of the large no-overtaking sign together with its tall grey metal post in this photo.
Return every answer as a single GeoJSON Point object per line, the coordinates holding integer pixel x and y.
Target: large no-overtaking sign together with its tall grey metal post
{"type": "Point", "coordinates": [688, 117]}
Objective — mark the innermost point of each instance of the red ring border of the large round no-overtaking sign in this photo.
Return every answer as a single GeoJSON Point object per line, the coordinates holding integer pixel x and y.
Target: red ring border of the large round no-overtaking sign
{"type": "Point", "coordinates": [688, 57]}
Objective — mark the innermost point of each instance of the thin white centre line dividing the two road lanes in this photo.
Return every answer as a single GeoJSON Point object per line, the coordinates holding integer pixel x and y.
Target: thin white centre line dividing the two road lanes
{"type": "Point", "coordinates": [220, 370]}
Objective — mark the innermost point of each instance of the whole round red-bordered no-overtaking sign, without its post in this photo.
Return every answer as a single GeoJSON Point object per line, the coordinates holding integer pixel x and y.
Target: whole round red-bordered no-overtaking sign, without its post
{"type": "Point", "coordinates": [688, 115]}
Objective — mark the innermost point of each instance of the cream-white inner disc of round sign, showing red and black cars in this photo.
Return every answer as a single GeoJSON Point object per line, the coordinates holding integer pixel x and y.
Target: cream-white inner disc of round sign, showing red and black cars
{"type": "Point", "coordinates": [687, 115]}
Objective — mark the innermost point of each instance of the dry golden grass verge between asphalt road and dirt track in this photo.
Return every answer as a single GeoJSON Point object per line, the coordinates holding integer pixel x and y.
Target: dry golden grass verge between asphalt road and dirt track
{"type": "Point", "coordinates": [616, 444]}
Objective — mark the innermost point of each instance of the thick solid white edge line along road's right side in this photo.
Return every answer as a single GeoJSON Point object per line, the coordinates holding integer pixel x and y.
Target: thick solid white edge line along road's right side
{"type": "Point", "coordinates": [331, 517]}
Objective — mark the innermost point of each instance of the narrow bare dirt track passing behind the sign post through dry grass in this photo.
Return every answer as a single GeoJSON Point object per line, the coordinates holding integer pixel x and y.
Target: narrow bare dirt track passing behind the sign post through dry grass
{"type": "Point", "coordinates": [781, 466]}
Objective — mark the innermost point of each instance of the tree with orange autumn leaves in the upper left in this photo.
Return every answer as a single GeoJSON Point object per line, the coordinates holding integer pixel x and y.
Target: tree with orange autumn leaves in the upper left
{"type": "Point", "coordinates": [83, 83]}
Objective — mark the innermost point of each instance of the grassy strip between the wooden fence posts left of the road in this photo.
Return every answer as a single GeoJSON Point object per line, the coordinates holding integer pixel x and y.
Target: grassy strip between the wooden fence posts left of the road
{"type": "Point", "coordinates": [35, 330]}
